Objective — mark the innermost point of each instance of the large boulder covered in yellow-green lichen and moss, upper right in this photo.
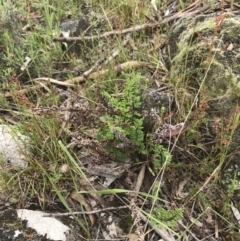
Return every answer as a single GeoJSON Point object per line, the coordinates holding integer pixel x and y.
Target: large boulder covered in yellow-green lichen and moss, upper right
{"type": "Point", "coordinates": [200, 53]}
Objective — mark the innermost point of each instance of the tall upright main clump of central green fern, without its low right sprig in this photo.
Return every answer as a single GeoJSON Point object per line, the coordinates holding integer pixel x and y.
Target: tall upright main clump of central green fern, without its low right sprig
{"type": "Point", "coordinates": [124, 127]}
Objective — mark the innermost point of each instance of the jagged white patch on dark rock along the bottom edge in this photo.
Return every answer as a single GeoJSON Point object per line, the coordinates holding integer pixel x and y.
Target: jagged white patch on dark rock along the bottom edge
{"type": "Point", "coordinates": [49, 226]}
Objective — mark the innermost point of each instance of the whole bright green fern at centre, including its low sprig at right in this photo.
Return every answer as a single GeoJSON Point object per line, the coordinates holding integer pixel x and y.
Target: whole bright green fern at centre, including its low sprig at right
{"type": "Point", "coordinates": [122, 128]}
